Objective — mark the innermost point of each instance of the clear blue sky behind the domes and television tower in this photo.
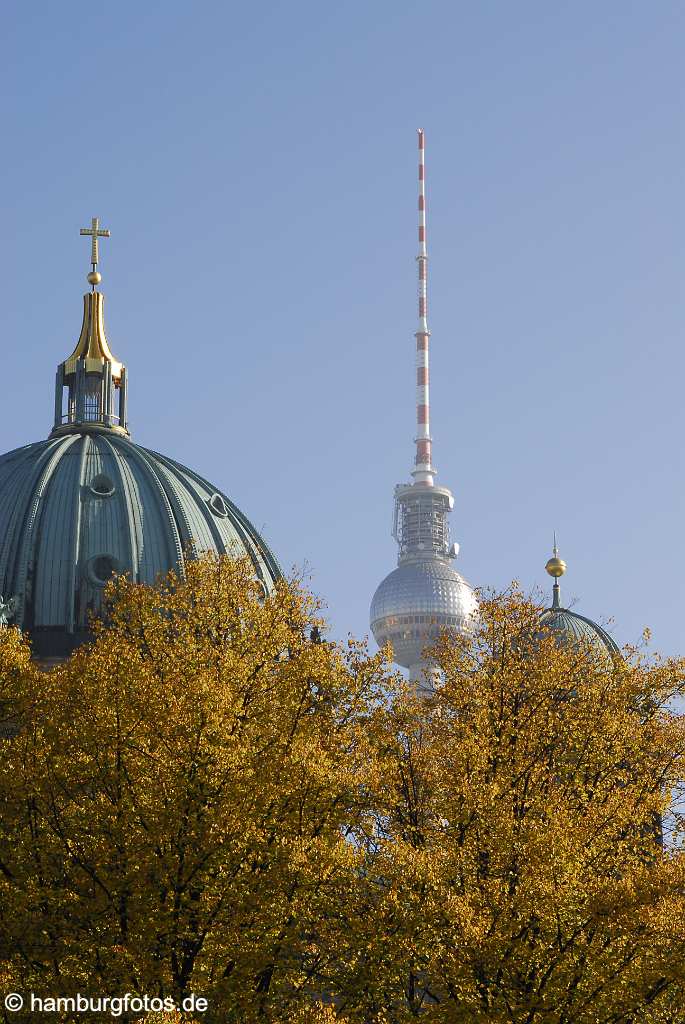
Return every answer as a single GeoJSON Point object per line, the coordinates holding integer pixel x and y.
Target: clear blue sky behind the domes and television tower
{"type": "Point", "coordinates": [256, 165]}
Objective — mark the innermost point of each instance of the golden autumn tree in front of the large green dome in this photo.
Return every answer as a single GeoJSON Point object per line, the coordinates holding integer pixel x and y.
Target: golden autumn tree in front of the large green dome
{"type": "Point", "coordinates": [176, 804]}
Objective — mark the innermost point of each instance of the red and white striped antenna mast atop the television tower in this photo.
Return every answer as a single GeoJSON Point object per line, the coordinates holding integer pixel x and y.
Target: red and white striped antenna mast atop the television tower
{"type": "Point", "coordinates": [423, 473]}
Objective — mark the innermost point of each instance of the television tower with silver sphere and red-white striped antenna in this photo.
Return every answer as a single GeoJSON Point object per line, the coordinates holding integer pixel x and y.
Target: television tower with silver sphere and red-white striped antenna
{"type": "Point", "coordinates": [424, 595]}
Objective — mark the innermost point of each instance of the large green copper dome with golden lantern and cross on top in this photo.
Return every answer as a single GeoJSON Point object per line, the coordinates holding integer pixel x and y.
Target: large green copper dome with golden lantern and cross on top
{"type": "Point", "coordinates": [89, 503]}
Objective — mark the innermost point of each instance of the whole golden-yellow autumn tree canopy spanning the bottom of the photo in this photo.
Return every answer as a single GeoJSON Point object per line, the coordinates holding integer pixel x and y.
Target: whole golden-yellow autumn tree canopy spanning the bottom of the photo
{"type": "Point", "coordinates": [209, 800]}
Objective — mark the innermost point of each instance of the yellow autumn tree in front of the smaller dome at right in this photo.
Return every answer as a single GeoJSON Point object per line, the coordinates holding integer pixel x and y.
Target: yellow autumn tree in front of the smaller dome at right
{"type": "Point", "coordinates": [523, 875]}
